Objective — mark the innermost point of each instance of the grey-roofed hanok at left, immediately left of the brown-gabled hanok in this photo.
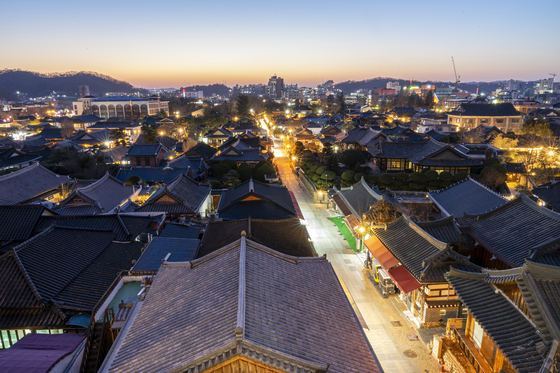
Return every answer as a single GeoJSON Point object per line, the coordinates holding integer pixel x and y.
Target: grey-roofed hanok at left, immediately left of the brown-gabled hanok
{"type": "Point", "coordinates": [105, 195]}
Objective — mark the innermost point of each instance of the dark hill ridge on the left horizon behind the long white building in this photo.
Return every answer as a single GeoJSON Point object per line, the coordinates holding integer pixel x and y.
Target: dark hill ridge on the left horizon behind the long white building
{"type": "Point", "coordinates": [36, 84]}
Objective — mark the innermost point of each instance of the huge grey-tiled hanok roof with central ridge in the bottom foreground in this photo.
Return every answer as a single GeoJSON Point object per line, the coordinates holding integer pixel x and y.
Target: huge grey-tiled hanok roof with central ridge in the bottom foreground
{"type": "Point", "coordinates": [235, 299]}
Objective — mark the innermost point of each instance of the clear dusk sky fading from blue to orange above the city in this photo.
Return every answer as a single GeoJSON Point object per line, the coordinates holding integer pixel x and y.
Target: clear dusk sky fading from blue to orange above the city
{"type": "Point", "coordinates": [177, 43]}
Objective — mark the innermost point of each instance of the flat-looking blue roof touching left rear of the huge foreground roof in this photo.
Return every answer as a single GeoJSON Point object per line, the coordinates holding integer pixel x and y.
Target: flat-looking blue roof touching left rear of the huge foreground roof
{"type": "Point", "coordinates": [181, 250]}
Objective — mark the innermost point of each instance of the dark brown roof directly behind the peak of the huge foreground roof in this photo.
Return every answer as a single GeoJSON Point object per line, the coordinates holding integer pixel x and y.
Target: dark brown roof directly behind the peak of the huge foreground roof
{"type": "Point", "coordinates": [287, 236]}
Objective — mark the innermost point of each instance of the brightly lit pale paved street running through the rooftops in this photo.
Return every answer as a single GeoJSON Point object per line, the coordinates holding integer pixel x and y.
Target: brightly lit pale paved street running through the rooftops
{"type": "Point", "coordinates": [376, 314]}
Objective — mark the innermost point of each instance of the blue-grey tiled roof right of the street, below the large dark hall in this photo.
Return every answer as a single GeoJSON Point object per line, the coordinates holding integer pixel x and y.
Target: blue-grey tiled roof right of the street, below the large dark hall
{"type": "Point", "coordinates": [466, 196]}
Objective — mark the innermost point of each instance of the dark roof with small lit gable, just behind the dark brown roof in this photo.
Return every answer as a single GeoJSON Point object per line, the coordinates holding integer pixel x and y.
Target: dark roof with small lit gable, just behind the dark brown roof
{"type": "Point", "coordinates": [256, 199]}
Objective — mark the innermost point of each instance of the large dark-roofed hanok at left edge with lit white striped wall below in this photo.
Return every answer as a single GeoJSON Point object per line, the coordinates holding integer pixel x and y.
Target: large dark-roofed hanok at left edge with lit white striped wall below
{"type": "Point", "coordinates": [58, 274]}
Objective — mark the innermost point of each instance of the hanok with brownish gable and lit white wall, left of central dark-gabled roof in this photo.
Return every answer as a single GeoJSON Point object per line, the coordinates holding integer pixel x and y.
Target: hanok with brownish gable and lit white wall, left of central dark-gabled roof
{"type": "Point", "coordinates": [184, 198]}
